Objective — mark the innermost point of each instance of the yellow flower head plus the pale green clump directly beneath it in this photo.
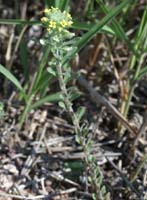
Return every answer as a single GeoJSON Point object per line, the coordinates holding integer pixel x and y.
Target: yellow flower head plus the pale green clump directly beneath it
{"type": "Point", "coordinates": [56, 24]}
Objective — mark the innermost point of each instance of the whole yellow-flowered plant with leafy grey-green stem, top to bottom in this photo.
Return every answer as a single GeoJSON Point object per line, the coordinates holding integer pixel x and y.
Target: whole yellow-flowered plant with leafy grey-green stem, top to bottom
{"type": "Point", "coordinates": [60, 40]}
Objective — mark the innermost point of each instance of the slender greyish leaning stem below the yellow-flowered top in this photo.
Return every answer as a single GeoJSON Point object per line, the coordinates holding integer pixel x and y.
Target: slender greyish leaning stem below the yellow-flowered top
{"type": "Point", "coordinates": [91, 164]}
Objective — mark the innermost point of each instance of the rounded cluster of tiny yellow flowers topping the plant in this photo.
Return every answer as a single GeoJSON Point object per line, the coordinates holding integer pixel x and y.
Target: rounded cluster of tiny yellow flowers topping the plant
{"type": "Point", "coordinates": [56, 20]}
